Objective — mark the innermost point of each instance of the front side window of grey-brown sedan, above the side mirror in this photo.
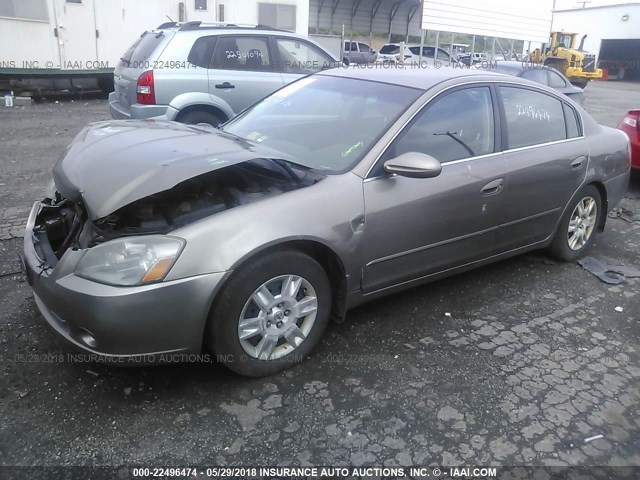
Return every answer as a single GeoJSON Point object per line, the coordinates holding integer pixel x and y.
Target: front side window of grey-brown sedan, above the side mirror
{"type": "Point", "coordinates": [457, 125]}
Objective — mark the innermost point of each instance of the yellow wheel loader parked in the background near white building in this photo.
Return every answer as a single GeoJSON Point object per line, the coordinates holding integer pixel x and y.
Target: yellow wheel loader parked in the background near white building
{"type": "Point", "coordinates": [561, 53]}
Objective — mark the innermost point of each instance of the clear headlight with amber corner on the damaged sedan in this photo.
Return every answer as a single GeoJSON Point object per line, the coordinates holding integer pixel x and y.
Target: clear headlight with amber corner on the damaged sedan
{"type": "Point", "coordinates": [131, 261]}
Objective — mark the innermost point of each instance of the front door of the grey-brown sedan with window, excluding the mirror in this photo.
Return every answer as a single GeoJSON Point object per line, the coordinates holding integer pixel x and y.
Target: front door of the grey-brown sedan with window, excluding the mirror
{"type": "Point", "coordinates": [417, 227]}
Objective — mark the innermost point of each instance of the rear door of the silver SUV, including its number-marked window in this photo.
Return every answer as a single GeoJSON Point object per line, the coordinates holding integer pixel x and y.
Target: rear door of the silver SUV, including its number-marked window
{"type": "Point", "coordinates": [241, 70]}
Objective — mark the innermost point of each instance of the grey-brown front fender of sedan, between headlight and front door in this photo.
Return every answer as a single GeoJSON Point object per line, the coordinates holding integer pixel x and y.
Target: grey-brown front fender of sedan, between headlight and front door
{"type": "Point", "coordinates": [322, 213]}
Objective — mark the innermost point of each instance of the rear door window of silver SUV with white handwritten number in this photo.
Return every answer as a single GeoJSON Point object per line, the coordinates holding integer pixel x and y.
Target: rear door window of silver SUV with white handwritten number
{"type": "Point", "coordinates": [241, 53]}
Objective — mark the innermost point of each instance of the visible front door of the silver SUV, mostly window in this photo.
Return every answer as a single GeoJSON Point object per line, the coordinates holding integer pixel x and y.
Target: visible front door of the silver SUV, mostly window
{"type": "Point", "coordinates": [295, 58]}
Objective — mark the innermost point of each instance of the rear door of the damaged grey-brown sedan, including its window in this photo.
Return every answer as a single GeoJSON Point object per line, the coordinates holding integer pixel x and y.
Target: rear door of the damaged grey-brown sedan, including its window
{"type": "Point", "coordinates": [546, 158]}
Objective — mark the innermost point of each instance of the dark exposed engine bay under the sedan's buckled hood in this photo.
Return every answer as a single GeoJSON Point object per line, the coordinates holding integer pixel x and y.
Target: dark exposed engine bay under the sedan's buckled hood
{"type": "Point", "coordinates": [66, 224]}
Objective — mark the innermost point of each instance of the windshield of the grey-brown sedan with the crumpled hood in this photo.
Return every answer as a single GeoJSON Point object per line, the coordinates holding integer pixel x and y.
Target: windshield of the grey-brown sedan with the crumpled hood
{"type": "Point", "coordinates": [323, 122]}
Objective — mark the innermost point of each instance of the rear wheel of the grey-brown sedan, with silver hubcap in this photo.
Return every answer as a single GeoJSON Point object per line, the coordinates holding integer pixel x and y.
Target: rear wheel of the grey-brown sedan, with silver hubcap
{"type": "Point", "coordinates": [566, 246]}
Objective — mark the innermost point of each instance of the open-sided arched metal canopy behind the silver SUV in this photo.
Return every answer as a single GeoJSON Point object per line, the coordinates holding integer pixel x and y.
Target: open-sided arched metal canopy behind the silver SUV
{"type": "Point", "coordinates": [356, 16]}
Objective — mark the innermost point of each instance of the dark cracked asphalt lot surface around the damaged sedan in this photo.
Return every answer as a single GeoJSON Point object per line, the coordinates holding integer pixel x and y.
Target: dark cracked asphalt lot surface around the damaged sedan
{"type": "Point", "coordinates": [512, 364]}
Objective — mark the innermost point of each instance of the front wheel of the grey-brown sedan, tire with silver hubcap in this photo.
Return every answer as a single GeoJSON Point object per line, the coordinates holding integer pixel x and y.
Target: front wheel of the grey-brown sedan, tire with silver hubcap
{"type": "Point", "coordinates": [252, 356]}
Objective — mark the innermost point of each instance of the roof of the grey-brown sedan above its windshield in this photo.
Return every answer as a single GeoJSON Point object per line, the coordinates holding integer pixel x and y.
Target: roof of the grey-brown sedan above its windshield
{"type": "Point", "coordinates": [422, 78]}
